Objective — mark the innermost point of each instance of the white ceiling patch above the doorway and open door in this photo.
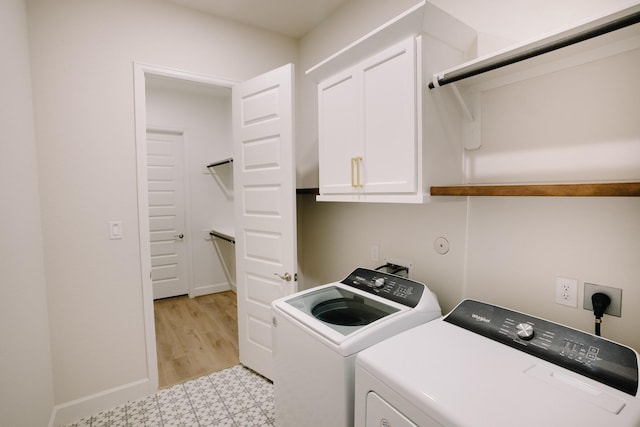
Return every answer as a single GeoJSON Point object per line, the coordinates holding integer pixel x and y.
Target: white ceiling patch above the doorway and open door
{"type": "Point", "coordinates": [293, 18]}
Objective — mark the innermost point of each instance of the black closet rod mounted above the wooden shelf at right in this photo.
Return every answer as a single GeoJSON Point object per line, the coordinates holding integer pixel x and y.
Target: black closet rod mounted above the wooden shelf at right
{"type": "Point", "coordinates": [599, 30]}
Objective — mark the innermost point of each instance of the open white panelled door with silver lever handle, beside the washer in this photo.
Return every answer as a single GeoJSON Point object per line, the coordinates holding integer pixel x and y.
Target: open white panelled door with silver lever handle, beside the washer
{"type": "Point", "coordinates": [264, 182]}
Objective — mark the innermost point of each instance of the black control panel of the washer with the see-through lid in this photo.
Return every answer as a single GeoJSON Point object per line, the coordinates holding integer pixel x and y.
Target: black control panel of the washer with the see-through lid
{"type": "Point", "coordinates": [389, 286]}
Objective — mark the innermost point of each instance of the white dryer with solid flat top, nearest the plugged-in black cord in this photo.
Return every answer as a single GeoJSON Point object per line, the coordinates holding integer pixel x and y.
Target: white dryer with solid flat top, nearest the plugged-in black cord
{"type": "Point", "coordinates": [483, 365]}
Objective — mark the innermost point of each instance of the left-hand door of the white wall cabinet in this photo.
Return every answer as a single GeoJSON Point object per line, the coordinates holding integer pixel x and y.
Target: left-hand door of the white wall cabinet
{"type": "Point", "coordinates": [339, 129]}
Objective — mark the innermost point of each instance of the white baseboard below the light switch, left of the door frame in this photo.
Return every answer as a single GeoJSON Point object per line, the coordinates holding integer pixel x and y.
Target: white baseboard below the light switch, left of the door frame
{"type": "Point", "coordinates": [67, 413]}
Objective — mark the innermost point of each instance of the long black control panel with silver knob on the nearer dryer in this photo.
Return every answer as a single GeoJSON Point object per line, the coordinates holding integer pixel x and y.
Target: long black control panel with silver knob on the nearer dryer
{"type": "Point", "coordinates": [586, 354]}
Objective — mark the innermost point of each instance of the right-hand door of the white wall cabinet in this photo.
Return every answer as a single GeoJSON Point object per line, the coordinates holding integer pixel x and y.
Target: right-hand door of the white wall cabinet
{"type": "Point", "coordinates": [390, 110]}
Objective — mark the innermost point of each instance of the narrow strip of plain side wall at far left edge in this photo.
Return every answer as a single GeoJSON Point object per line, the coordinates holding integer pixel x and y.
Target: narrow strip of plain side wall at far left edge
{"type": "Point", "coordinates": [26, 380]}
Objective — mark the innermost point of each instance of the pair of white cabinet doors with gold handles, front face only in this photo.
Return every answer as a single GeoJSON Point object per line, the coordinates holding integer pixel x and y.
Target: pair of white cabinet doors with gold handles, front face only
{"type": "Point", "coordinates": [368, 127]}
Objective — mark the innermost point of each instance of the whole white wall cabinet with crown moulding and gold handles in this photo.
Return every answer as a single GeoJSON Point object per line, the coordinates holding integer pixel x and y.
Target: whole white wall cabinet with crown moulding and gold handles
{"type": "Point", "coordinates": [382, 138]}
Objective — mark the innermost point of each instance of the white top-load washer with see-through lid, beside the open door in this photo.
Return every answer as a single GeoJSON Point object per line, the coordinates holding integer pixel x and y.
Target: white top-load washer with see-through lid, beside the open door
{"type": "Point", "coordinates": [318, 333]}
